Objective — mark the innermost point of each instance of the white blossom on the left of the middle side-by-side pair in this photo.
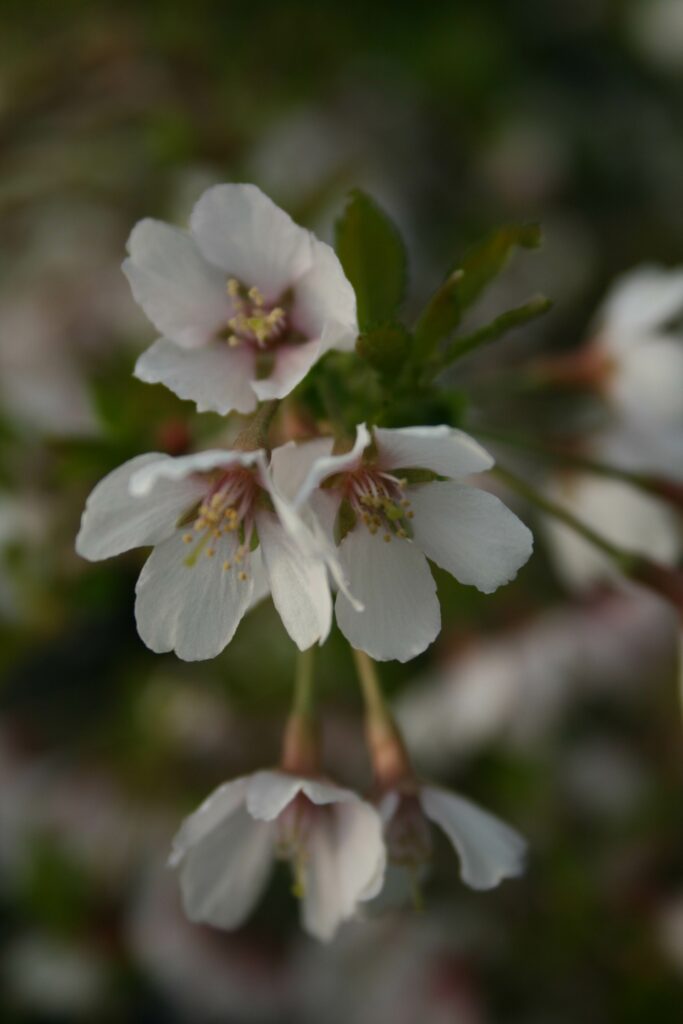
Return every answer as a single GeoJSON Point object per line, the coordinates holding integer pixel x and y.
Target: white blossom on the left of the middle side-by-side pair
{"type": "Point", "coordinates": [224, 538]}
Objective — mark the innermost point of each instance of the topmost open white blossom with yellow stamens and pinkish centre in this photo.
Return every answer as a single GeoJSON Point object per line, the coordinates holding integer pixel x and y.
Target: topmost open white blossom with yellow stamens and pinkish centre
{"type": "Point", "coordinates": [246, 302]}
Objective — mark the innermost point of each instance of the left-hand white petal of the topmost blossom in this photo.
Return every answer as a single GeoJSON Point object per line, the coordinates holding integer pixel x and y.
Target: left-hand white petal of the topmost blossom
{"type": "Point", "coordinates": [184, 296]}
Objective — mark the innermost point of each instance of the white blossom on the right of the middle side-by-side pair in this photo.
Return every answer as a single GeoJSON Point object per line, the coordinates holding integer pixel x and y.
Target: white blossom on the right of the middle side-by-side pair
{"type": "Point", "coordinates": [392, 510]}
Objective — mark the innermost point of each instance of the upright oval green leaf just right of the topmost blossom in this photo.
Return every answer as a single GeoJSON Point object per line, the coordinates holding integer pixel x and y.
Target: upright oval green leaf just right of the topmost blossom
{"type": "Point", "coordinates": [373, 255]}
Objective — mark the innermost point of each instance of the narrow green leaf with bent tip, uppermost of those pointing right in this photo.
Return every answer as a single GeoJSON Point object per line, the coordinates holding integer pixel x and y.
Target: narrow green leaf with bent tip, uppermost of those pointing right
{"type": "Point", "coordinates": [464, 285]}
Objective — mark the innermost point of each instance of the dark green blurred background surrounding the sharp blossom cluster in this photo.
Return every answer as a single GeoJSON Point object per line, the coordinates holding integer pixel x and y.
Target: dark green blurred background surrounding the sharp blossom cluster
{"type": "Point", "coordinates": [556, 708]}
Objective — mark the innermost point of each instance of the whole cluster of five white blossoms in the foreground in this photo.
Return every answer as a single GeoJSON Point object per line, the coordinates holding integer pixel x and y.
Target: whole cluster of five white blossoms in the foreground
{"type": "Point", "coordinates": [246, 304]}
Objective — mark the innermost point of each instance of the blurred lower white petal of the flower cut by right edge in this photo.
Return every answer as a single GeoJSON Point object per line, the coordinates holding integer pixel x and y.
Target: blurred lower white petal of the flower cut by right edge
{"type": "Point", "coordinates": [649, 381]}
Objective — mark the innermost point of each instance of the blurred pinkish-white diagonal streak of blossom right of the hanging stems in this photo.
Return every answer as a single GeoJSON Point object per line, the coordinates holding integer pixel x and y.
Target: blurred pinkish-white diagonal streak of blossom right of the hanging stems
{"type": "Point", "coordinates": [519, 687]}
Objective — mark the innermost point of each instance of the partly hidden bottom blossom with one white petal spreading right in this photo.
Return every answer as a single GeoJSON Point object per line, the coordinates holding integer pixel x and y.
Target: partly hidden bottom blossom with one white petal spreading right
{"type": "Point", "coordinates": [490, 850]}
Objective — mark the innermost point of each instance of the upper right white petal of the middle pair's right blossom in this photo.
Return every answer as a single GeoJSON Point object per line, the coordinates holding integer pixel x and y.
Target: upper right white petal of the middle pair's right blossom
{"type": "Point", "coordinates": [444, 450]}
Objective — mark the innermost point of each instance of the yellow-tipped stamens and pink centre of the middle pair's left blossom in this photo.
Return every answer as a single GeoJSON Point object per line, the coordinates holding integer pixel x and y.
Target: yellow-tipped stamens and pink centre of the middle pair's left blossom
{"type": "Point", "coordinates": [226, 517]}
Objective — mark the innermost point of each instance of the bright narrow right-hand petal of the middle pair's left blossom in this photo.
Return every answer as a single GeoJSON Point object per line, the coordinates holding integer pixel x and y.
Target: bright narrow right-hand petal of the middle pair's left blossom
{"type": "Point", "coordinates": [298, 583]}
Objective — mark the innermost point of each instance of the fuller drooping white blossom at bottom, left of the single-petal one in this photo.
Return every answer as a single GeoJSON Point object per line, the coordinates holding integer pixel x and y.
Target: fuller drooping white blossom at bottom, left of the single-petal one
{"type": "Point", "coordinates": [332, 839]}
